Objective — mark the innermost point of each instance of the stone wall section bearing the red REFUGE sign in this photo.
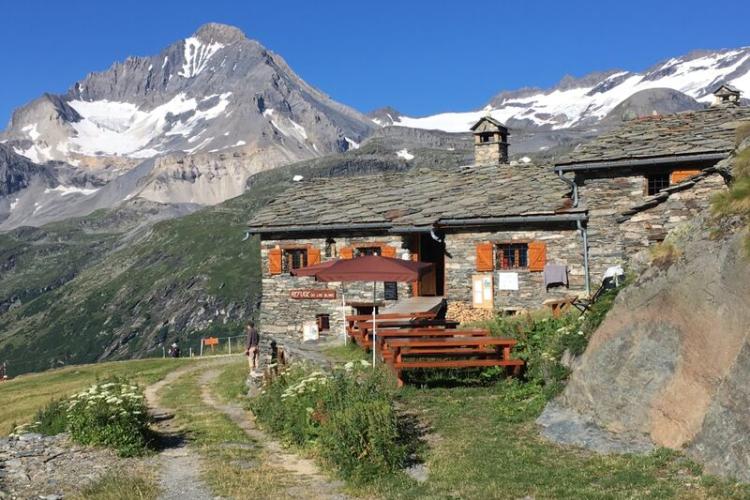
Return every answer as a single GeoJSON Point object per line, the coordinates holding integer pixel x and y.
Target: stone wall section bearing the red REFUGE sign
{"type": "Point", "coordinates": [282, 315]}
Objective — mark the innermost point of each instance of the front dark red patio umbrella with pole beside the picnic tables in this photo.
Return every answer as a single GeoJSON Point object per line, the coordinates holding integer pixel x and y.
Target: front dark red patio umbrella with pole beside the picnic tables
{"type": "Point", "coordinates": [372, 268]}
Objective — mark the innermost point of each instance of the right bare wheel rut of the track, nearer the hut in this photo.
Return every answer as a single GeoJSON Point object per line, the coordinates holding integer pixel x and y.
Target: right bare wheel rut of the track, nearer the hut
{"type": "Point", "coordinates": [310, 482]}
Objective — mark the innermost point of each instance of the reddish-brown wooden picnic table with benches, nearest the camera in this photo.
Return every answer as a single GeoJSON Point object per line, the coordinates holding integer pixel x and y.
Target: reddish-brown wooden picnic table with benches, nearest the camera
{"type": "Point", "coordinates": [469, 352]}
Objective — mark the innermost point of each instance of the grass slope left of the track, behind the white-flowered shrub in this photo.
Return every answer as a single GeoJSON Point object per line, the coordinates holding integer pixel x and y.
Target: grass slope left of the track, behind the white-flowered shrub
{"type": "Point", "coordinates": [22, 397]}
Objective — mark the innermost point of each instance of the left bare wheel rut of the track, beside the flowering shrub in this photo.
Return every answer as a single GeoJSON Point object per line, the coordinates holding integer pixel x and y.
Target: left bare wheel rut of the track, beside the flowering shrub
{"type": "Point", "coordinates": [180, 467]}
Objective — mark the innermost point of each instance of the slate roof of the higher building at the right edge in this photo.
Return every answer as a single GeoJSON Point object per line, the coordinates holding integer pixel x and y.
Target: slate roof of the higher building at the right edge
{"type": "Point", "coordinates": [704, 131]}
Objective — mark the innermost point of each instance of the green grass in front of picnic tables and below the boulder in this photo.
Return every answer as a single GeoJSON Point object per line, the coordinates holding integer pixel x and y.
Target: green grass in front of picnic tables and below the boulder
{"type": "Point", "coordinates": [484, 443]}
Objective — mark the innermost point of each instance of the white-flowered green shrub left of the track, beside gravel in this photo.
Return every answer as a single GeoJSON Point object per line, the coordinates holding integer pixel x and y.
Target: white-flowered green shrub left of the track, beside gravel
{"type": "Point", "coordinates": [111, 414]}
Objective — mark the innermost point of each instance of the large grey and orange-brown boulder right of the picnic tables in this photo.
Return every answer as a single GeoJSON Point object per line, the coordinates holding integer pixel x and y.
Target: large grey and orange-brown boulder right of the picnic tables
{"type": "Point", "coordinates": [670, 365]}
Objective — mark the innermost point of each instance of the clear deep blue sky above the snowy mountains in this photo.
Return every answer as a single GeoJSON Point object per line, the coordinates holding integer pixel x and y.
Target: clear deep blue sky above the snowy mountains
{"type": "Point", "coordinates": [421, 57]}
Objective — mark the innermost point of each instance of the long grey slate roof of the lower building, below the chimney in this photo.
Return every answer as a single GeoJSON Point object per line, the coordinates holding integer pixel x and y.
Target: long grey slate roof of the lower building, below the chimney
{"type": "Point", "coordinates": [420, 197]}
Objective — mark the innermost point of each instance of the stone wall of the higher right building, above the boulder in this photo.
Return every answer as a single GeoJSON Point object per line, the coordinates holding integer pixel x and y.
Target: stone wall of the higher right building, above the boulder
{"type": "Point", "coordinates": [614, 241]}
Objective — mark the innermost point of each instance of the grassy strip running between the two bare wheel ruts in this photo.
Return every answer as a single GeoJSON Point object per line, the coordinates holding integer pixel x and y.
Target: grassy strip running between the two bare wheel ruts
{"type": "Point", "coordinates": [234, 465]}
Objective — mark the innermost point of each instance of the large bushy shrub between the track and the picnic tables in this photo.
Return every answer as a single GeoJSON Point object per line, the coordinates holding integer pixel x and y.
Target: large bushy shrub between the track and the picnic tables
{"type": "Point", "coordinates": [347, 417]}
